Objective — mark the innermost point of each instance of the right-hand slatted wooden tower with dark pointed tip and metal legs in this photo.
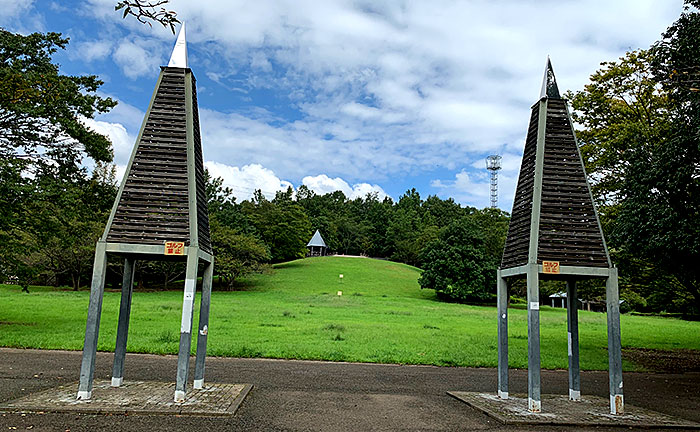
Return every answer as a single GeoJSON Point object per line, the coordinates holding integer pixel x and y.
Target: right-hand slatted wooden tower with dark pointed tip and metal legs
{"type": "Point", "coordinates": [555, 233]}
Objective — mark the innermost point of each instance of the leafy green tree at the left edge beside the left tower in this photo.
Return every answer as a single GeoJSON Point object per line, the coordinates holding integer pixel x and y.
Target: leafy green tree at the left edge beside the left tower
{"type": "Point", "coordinates": [43, 141]}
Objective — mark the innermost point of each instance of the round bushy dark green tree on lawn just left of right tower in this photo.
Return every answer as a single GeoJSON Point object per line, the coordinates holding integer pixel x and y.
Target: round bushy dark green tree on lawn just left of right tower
{"type": "Point", "coordinates": [457, 266]}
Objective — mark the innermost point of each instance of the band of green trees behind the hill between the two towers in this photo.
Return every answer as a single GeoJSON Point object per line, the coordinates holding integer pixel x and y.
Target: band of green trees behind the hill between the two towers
{"type": "Point", "coordinates": [458, 247]}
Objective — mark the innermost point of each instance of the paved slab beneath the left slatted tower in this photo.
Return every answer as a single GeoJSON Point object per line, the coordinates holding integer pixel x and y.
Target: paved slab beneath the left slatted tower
{"type": "Point", "coordinates": [135, 397]}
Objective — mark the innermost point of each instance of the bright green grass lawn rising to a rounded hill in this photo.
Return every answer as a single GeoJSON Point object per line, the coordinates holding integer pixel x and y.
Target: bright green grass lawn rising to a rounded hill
{"type": "Point", "coordinates": [295, 313]}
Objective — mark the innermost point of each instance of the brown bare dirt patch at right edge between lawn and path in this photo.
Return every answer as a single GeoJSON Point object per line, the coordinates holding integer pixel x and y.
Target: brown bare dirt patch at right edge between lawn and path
{"type": "Point", "coordinates": [656, 360]}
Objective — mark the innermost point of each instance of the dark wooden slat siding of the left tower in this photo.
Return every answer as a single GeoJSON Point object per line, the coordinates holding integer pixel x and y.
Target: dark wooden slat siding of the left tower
{"type": "Point", "coordinates": [154, 207]}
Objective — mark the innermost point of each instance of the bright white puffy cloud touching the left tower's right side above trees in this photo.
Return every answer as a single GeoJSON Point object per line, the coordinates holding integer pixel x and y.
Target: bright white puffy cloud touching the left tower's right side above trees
{"type": "Point", "coordinates": [245, 180]}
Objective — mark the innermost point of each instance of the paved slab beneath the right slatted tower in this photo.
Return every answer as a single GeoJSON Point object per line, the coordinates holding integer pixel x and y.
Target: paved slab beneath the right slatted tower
{"type": "Point", "coordinates": [558, 410]}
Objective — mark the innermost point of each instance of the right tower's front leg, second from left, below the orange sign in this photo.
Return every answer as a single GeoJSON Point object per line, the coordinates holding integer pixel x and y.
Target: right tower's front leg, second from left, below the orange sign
{"type": "Point", "coordinates": [533, 340]}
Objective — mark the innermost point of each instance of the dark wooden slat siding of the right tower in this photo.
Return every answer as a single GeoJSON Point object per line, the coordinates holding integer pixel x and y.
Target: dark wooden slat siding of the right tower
{"type": "Point", "coordinates": [568, 228]}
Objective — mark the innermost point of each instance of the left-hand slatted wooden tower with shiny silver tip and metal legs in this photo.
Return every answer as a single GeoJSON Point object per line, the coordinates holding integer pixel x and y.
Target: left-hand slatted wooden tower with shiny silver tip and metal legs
{"type": "Point", "coordinates": [160, 213]}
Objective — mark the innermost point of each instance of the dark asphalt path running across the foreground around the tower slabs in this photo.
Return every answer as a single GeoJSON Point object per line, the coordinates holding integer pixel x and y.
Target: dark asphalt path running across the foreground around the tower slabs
{"type": "Point", "coordinates": [300, 395]}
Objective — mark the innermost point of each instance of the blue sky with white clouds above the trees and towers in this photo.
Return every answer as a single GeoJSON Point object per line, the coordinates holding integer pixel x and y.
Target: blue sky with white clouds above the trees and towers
{"type": "Point", "coordinates": [359, 96]}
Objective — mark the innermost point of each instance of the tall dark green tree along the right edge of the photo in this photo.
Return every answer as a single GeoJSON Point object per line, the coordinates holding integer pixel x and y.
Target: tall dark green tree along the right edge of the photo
{"type": "Point", "coordinates": [660, 217]}
